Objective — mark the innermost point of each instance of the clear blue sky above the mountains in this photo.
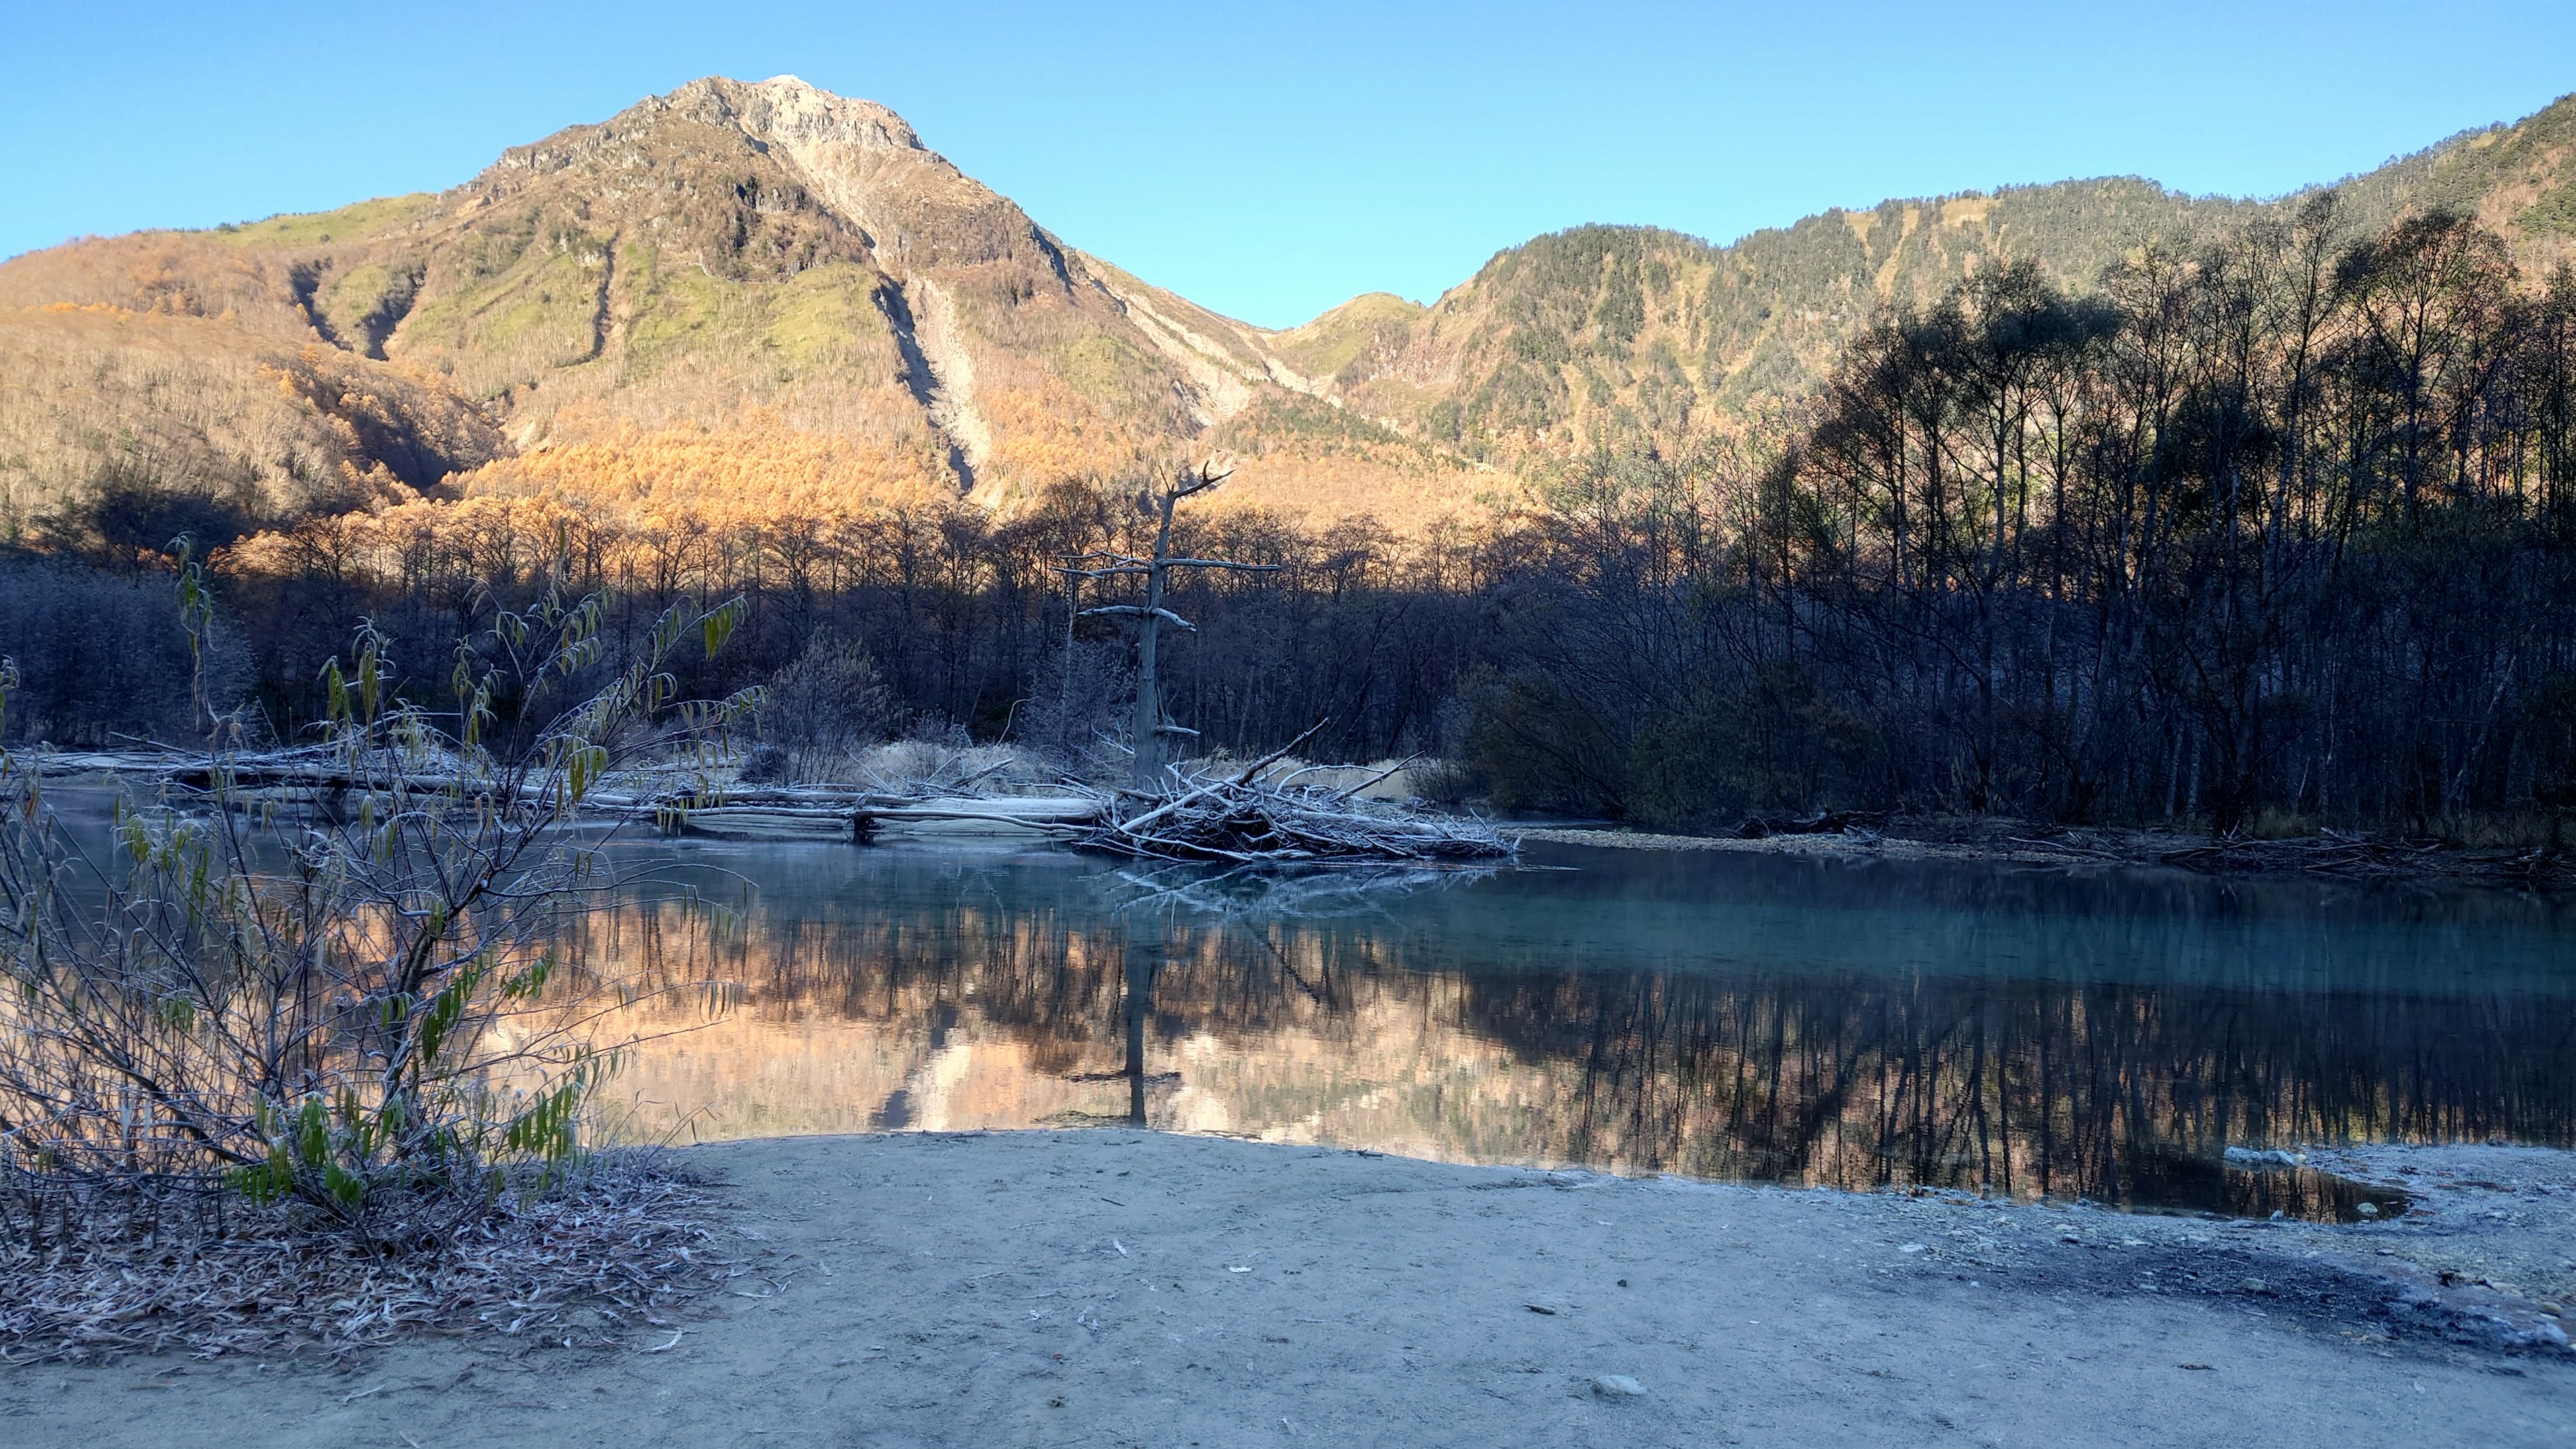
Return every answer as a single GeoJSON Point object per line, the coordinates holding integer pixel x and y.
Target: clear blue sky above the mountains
{"type": "Point", "coordinates": [1271, 161]}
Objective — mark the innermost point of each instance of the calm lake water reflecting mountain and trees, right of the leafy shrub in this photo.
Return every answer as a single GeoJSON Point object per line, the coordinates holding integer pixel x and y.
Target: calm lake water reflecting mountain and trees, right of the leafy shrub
{"type": "Point", "coordinates": [1707, 1015]}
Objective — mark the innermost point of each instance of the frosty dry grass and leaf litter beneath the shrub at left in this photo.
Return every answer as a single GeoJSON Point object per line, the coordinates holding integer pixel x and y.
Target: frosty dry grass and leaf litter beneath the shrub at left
{"type": "Point", "coordinates": [594, 1259]}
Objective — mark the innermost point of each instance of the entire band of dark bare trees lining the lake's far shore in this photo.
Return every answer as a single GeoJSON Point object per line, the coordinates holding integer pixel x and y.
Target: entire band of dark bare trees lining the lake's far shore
{"type": "Point", "coordinates": [2258, 532]}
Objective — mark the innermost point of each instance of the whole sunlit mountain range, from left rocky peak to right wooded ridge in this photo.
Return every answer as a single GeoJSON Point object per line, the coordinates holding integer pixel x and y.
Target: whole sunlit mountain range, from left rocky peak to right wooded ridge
{"type": "Point", "coordinates": [751, 298]}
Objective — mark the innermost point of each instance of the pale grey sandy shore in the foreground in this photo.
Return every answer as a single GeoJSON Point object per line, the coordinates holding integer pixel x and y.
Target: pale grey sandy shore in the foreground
{"type": "Point", "coordinates": [1145, 1290]}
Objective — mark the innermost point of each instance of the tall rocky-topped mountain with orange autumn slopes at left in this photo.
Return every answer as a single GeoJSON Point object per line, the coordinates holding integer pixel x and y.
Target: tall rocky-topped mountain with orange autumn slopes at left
{"type": "Point", "coordinates": [730, 280]}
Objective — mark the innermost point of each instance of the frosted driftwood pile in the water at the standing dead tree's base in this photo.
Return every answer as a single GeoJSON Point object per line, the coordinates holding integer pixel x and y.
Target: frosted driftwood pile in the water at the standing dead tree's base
{"type": "Point", "coordinates": [1251, 819]}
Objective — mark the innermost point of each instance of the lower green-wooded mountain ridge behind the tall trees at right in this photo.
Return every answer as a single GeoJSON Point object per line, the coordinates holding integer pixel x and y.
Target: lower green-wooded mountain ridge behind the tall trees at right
{"type": "Point", "coordinates": [1624, 336]}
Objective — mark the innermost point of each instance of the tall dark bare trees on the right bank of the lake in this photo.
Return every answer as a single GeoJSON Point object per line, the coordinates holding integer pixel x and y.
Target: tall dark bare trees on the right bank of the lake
{"type": "Point", "coordinates": [2278, 530]}
